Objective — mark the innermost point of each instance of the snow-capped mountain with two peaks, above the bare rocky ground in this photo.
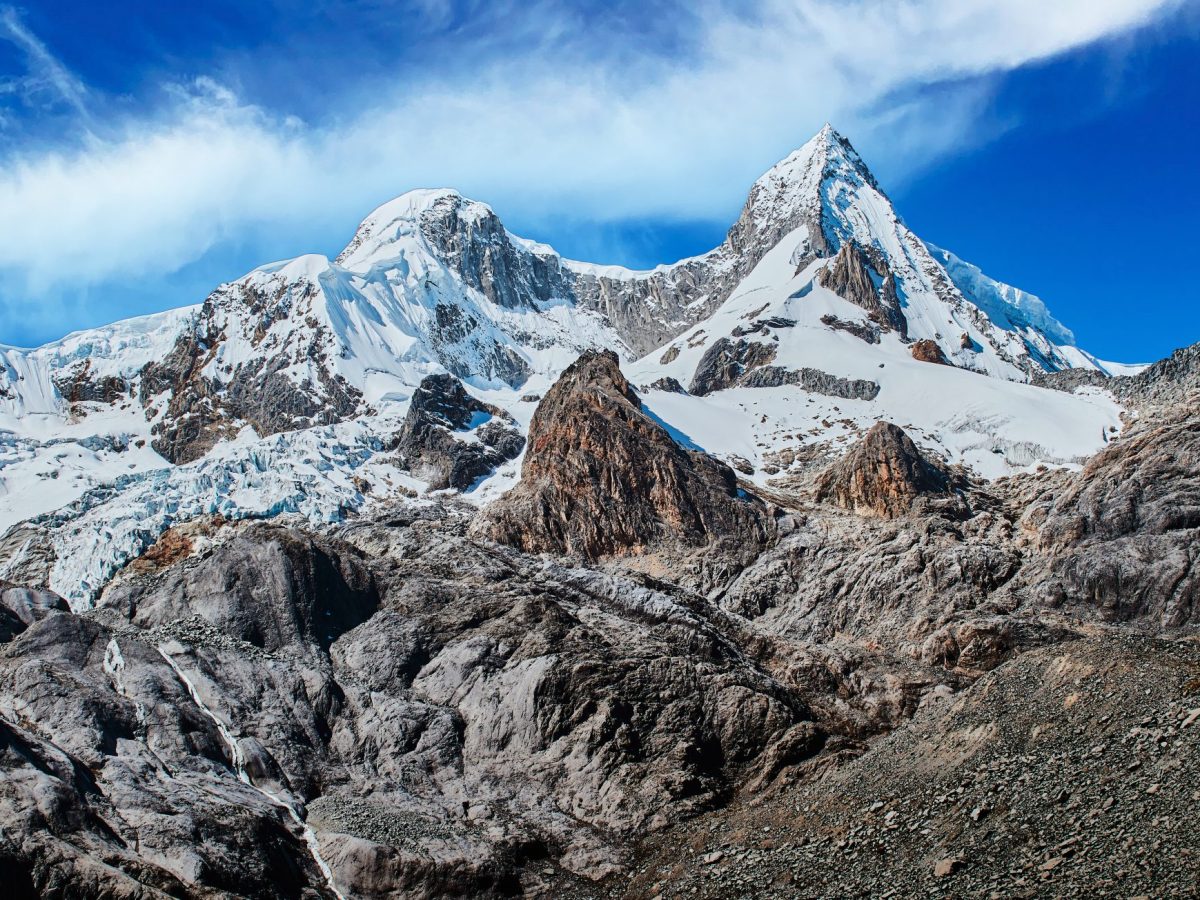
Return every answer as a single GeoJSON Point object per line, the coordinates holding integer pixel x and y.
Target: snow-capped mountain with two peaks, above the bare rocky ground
{"type": "Point", "coordinates": [818, 316]}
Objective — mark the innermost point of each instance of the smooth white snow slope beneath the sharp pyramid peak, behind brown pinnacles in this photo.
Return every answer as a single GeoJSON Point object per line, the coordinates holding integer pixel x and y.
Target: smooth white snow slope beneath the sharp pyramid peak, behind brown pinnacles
{"type": "Point", "coordinates": [993, 425]}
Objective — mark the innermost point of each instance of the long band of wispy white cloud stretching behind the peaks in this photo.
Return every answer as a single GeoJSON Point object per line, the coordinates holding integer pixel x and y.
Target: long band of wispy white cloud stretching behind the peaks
{"type": "Point", "coordinates": [535, 135]}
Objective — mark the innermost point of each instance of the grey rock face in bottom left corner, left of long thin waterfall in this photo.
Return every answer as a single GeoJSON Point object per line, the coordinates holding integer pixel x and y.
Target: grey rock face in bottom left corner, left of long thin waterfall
{"type": "Point", "coordinates": [116, 785]}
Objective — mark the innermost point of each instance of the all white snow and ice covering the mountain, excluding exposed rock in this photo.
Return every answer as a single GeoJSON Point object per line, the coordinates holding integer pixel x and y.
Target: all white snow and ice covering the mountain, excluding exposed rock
{"type": "Point", "coordinates": [377, 316]}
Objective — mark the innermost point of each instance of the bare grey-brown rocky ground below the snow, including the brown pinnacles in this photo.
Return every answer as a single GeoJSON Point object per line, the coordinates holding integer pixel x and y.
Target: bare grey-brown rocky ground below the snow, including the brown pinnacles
{"type": "Point", "coordinates": [633, 677]}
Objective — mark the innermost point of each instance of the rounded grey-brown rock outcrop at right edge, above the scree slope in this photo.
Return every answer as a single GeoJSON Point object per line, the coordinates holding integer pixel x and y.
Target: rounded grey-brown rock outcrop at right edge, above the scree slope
{"type": "Point", "coordinates": [1124, 537]}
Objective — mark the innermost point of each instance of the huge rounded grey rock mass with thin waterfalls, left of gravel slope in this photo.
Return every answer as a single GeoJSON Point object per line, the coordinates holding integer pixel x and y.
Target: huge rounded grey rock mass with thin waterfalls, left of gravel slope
{"type": "Point", "coordinates": [493, 712]}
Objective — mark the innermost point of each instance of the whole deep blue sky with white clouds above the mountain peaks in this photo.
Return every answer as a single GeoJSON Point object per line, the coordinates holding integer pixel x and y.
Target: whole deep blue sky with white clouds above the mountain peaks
{"type": "Point", "coordinates": [151, 151]}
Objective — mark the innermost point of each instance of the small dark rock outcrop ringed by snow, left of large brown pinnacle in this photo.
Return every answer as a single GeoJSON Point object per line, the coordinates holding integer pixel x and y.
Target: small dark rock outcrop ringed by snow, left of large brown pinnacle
{"type": "Point", "coordinates": [440, 407]}
